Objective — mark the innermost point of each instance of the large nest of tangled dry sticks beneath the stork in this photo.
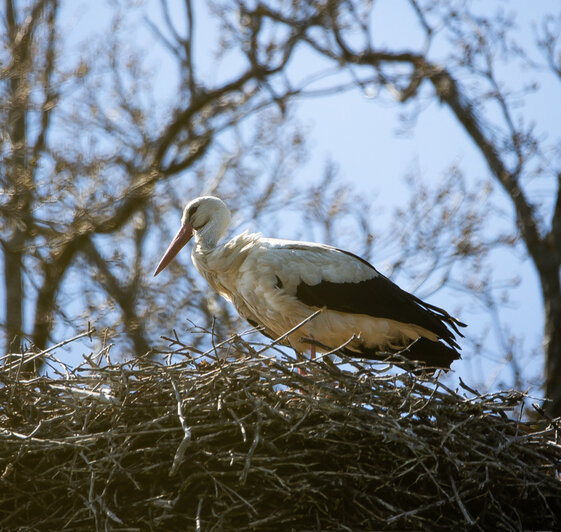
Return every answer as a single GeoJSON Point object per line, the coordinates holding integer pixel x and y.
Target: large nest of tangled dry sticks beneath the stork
{"type": "Point", "coordinates": [246, 443]}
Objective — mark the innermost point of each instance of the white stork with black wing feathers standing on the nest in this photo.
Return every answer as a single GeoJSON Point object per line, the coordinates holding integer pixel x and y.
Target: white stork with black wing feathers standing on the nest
{"type": "Point", "coordinates": [276, 284]}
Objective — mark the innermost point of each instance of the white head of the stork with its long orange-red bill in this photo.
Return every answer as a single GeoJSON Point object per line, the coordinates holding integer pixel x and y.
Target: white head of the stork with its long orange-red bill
{"type": "Point", "coordinates": [206, 218]}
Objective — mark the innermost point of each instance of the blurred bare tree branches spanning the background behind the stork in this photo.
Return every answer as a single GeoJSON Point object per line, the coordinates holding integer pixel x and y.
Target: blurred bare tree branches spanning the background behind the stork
{"type": "Point", "coordinates": [95, 158]}
